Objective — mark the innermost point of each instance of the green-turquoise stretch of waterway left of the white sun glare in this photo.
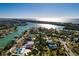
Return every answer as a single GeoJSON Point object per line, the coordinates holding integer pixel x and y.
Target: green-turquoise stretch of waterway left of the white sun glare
{"type": "Point", "coordinates": [20, 29]}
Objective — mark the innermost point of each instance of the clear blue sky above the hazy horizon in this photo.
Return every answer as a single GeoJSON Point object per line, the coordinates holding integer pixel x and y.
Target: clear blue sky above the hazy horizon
{"type": "Point", "coordinates": [39, 10]}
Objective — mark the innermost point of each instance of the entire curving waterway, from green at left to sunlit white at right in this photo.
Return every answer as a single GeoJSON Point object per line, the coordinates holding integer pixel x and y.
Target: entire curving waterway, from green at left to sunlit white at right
{"type": "Point", "coordinates": [19, 31]}
